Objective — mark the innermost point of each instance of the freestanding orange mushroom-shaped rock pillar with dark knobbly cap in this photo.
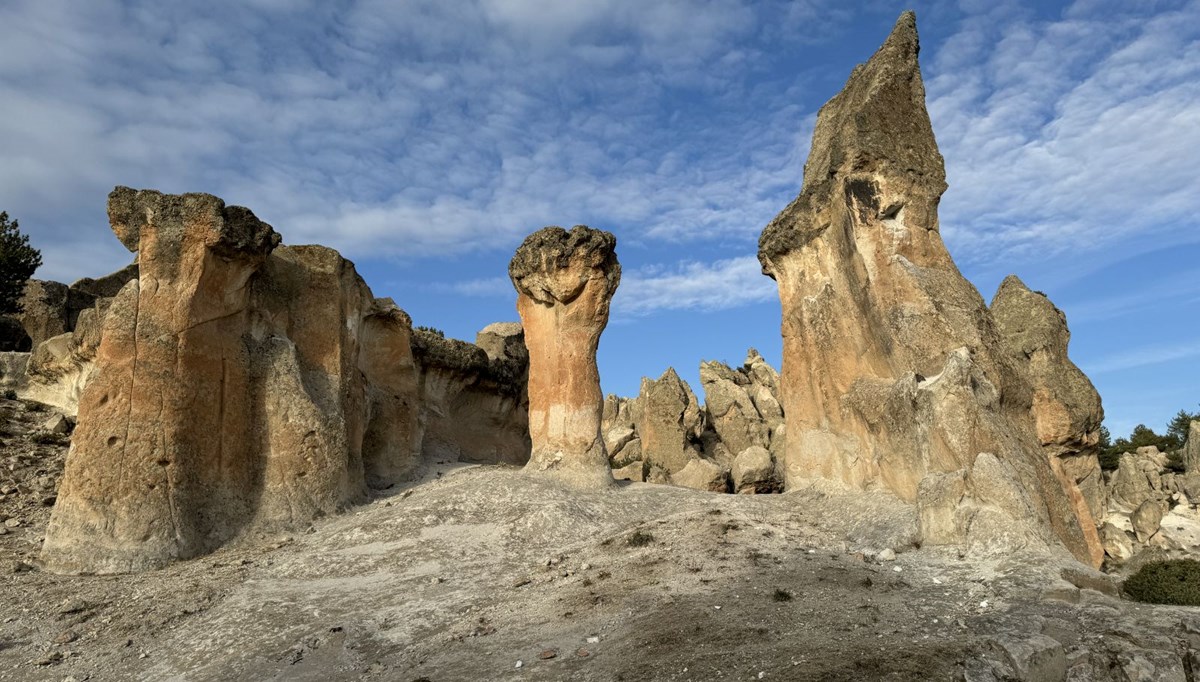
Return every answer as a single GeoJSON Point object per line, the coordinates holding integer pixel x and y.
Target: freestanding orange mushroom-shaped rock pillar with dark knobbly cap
{"type": "Point", "coordinates": [565, 284]}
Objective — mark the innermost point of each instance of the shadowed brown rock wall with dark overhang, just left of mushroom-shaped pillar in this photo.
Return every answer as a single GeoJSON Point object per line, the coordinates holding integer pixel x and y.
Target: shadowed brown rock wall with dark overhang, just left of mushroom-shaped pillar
{"type": "Point", "coordinates": [473, 404]}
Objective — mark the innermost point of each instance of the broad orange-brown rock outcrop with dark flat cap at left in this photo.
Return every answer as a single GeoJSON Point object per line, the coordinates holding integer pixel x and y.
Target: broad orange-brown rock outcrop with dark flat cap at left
{"type": "Point", "coordinates": [232, 391]}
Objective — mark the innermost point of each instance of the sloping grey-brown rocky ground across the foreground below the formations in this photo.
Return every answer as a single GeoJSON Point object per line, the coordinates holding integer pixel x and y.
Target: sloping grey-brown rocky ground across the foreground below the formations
{"type": "Point", "coordinates": [483, 573]}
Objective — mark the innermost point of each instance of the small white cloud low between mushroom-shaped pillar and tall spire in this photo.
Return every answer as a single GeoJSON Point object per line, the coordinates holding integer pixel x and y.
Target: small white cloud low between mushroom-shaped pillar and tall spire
{"type": "Point", "coordinates": [694, 286]}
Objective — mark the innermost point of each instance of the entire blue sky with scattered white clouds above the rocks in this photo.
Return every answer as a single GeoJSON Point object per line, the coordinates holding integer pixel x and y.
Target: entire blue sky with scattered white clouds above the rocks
{"type": "Point", "coordinates": [425, 140]}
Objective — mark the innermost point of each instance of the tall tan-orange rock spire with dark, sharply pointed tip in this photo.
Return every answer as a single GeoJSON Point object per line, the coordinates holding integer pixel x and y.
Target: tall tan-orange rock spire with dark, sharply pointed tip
{"type": "Point", "coordinates": [892, 363]}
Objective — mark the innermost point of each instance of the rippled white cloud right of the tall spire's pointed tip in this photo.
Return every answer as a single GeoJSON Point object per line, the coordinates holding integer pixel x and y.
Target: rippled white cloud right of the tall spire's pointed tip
{"type": "Point", "coordinates": [1067, 136]}
